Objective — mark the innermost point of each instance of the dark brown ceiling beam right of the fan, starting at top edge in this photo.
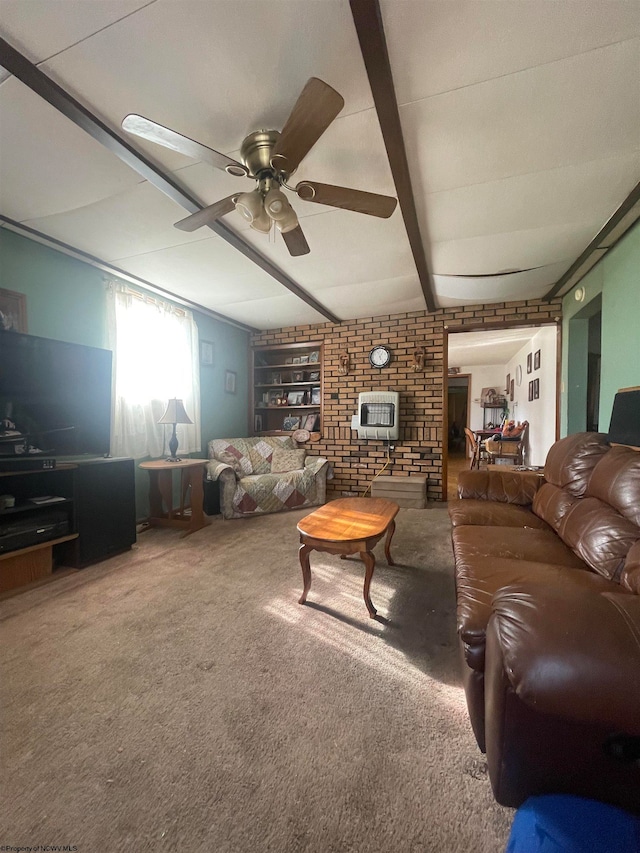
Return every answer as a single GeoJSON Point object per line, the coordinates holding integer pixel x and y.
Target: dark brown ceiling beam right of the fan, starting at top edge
{"type": "Point", "coordinates": [367, 18]}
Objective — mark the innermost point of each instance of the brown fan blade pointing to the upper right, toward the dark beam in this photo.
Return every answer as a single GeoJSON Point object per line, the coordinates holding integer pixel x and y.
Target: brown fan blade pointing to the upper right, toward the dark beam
{"type": "Point", "coordinates": [317, 106]}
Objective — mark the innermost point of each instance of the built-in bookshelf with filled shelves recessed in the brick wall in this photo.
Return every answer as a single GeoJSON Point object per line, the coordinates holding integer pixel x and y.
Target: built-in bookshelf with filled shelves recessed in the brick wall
{"type": "Point", "coordinates": [287, 388]}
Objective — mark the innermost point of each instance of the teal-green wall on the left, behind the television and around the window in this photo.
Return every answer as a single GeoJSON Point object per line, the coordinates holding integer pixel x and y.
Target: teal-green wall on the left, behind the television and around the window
{"type": "Point", "coordinates": [66, 301]}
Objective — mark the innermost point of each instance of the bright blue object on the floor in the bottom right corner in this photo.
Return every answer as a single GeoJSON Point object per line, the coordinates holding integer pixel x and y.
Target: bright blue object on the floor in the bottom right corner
{"type": "Point", "coordinates": [564, 824]}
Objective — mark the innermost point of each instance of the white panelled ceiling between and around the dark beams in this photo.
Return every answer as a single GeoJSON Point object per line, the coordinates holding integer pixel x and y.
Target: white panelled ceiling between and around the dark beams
{"type": "Point", "coordinates": [521, 122]}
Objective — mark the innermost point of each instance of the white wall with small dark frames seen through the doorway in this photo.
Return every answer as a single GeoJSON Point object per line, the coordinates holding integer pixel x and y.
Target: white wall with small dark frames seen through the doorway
{"type": "Point", "coordinates": [540, 413]}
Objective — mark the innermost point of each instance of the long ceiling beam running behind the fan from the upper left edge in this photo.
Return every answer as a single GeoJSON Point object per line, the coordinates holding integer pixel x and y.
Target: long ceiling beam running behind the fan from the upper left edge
{"type": "Point", "coordinates": [29, 74]}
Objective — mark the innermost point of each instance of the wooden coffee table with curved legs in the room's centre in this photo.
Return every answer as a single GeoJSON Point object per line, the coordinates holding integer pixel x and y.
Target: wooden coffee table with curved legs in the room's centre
{"type": "Point", "coordinates": [348, 526]}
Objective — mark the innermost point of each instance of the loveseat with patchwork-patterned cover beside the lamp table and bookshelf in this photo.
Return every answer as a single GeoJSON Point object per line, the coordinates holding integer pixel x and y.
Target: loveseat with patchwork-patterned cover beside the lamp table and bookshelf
{"type": "Point", "coordinates": [265, 474]}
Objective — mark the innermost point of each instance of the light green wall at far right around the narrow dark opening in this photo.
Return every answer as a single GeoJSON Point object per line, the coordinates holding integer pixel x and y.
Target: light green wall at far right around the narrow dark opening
{"type": "Point", "coordinates": [616, 279]}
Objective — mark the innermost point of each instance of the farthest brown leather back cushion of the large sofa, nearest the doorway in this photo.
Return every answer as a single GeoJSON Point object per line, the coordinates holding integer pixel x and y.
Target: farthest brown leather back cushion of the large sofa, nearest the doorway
{"type": "Point", "coordinates": [570, 461]}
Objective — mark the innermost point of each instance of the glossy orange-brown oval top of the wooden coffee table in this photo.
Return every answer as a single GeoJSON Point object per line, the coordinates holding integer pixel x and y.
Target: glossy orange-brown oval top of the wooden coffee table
{"type": "Point", "coordinates": [349, 519]}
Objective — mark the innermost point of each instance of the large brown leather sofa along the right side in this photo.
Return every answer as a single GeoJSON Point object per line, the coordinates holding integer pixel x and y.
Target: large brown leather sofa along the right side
{"type": "Point", "coordinates": [548, 604]}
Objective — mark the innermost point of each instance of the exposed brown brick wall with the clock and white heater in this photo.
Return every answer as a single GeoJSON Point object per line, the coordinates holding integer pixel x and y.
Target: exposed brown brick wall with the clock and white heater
{"type": "Point", "coordinates": [419, 449]}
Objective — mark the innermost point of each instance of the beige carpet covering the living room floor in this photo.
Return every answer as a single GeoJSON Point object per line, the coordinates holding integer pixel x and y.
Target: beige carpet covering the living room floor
{"type": "Point", "coordinates": [177, 698]}
